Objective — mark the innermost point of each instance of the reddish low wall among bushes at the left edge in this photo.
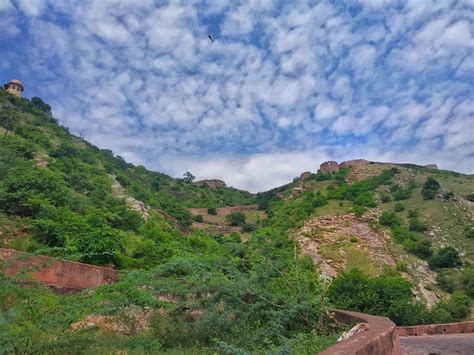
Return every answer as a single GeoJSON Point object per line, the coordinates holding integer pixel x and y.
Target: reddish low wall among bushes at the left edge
{"type": "Point", "coordinates": [64, 276]}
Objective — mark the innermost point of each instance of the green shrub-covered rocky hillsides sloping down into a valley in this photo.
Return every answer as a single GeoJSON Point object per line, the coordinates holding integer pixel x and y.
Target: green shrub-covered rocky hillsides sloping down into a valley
{"type": "Point", "coordinates": [393, 239]}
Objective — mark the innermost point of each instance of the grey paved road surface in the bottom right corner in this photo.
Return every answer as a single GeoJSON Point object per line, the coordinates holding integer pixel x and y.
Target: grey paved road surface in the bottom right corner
{"type": "Point", "coordinates": [448, 344]}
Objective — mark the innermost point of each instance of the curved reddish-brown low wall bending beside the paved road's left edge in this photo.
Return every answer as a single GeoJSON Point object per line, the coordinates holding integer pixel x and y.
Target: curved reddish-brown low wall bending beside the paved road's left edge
{"type": "Point", "coordinates": [380, 338]}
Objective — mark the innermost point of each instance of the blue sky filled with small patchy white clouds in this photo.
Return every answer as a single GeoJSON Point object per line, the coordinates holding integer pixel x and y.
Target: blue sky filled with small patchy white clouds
{"type": "Point", "coordinates": [284, 86]}
